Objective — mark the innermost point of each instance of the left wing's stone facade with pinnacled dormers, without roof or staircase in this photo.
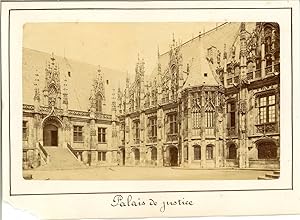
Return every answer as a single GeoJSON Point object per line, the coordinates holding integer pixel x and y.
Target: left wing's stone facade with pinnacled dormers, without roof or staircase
{"type": "Point", "coordinates": [50, 123]}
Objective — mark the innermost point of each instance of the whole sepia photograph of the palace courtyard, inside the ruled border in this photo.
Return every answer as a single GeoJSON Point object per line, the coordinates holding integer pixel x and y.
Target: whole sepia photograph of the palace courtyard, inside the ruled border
{"type": "Point", "coordinates": [151, 101]}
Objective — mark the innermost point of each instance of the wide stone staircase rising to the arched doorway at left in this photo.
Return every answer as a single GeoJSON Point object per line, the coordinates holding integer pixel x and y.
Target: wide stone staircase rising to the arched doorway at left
{"type": "Point", "coordinates": [61, 159]}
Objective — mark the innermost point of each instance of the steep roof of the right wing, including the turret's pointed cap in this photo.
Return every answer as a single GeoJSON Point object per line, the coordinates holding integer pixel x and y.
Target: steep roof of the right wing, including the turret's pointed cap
{"type": "Point", "coordinates": [194, 53]}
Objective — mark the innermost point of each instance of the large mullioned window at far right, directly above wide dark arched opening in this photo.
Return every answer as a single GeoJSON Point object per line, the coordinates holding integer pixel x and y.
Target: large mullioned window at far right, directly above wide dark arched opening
{"type": "Point", "coordinates": [266, 109]}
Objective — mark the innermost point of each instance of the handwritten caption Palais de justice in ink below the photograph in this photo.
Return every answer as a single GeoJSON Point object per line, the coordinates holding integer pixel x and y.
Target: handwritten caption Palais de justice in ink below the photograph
{"type": "Point", "coordinates": [130, 201]}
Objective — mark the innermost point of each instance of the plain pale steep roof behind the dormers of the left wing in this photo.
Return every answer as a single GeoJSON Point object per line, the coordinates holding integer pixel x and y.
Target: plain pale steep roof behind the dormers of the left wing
{"type": "Point", "coordinates": [79, 79]}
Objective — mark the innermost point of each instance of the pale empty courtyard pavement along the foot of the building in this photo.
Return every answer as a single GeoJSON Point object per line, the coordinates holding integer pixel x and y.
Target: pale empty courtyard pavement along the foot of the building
{"type": "Point", "coordinates": [145, 173]}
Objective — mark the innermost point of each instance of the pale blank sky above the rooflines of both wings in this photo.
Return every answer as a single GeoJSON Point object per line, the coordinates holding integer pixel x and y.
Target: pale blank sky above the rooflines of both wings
{"type": "Point", "coordinates": [112, 45]}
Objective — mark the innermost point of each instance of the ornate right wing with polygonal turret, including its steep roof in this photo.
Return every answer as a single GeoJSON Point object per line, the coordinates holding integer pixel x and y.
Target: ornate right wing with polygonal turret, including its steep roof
{"type": "Point", "coordinates": [220, 112]}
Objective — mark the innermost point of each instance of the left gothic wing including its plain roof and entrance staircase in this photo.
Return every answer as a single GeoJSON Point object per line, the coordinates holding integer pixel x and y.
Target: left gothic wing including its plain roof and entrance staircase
{"type": "Point", "coordinates": [67, 120]}
